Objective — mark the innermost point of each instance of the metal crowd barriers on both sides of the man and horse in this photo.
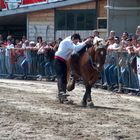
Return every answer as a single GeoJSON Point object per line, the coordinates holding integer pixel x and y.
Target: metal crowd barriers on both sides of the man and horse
{"type": "Point", "coordinates": [120, 68]}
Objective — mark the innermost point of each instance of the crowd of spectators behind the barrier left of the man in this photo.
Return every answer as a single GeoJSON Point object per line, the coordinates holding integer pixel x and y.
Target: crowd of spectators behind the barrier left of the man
{"type": "Point", "coordinates": [27, 58]}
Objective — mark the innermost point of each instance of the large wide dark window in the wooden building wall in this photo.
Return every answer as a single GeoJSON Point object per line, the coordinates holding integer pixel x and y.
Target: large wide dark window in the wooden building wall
{"type": "Point", "coordinates": [76, 20]}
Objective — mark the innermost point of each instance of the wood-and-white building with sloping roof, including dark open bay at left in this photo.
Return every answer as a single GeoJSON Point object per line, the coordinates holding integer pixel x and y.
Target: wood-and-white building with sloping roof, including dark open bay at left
{"type": "Point", "coordinates": [56, 19]}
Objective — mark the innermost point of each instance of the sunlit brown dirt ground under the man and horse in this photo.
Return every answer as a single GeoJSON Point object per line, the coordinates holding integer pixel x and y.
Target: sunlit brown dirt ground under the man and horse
{"type": "Point", "coordinates": [29, 111]}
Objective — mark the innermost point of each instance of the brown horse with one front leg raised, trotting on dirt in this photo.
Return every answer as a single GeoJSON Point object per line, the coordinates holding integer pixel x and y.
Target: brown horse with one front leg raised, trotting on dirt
{"type": "Point", "coordinates": [87, 65]}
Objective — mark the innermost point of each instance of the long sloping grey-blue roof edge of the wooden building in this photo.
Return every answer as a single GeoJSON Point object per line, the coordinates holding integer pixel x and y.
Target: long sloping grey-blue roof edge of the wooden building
{"type": "Point", "coordinates": [23, 9]}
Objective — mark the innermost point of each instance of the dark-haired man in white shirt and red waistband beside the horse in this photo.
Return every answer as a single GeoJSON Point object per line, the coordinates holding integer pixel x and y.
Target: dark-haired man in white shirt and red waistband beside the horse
{"type": "Point", "coordinates": [66, 48]}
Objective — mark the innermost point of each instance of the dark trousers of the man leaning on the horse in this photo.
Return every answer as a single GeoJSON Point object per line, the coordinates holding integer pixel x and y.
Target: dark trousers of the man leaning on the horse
{"type": "Point", "coordinates": [61, 74]}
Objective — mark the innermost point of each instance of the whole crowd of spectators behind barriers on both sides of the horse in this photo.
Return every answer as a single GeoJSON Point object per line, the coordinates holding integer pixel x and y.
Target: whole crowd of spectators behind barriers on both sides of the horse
{"type": "Point", "coordinates": [23, 57]}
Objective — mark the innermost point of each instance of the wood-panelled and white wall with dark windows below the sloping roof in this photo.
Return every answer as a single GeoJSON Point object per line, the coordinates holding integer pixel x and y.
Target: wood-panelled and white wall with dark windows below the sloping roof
{"type": "Point", "coordinates": [64, 21]}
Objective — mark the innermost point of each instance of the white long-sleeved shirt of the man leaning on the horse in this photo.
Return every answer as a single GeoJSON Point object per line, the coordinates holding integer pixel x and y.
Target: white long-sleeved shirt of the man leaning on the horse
{"type": "Point", "coordinates": [67, 47]}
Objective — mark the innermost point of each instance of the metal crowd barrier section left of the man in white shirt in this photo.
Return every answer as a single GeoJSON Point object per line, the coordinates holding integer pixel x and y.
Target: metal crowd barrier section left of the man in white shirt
{"type": "Point", "coordinates": [25, 63]}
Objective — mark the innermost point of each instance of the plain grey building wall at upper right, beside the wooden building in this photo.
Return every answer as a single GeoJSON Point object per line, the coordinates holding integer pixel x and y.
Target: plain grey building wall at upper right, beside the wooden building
{"type": "Point", "coordinates": [123, 15]}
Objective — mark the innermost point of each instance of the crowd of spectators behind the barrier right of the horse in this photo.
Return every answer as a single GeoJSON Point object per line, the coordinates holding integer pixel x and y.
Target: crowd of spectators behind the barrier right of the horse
{"type": "Point", "coordinates": [120, 69]}
